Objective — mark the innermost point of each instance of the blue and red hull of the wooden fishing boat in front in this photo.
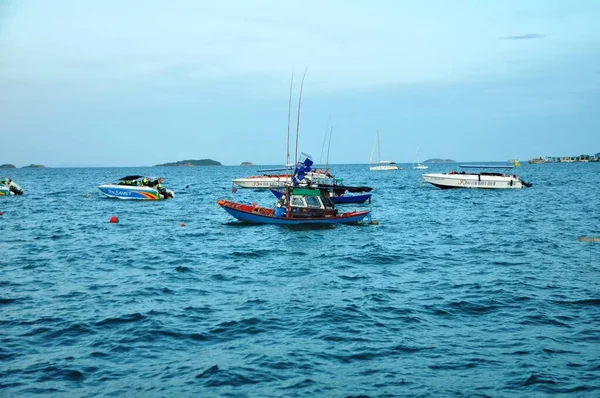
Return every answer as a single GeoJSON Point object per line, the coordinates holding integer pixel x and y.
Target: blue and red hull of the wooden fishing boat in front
{"type": "Point", "coordinates": [263, 215]}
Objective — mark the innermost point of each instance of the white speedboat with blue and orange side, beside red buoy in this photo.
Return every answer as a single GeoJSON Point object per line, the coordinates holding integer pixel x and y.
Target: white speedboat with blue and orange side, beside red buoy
{"type": "Point", "coordinates": [137, 188]}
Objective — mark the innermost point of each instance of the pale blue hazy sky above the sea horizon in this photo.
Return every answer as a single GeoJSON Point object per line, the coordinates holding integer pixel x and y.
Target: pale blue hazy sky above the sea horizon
{"type": "Point", "coordinates": [138, 83]}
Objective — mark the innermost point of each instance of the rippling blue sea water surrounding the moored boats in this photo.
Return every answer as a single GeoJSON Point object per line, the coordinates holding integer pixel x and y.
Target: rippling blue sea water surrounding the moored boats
{"type": "Point", "coordinates": [454, 293]}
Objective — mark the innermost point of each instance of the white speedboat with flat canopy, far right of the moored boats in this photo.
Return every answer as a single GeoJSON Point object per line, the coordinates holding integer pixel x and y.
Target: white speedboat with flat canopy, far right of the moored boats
{"type": "Point", "coordinates": [480, 179]}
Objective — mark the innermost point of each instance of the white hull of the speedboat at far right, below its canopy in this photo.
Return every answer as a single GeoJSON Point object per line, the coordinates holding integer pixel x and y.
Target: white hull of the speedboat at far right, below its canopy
{"type": "Point", "coordinates": [481, 181]}
